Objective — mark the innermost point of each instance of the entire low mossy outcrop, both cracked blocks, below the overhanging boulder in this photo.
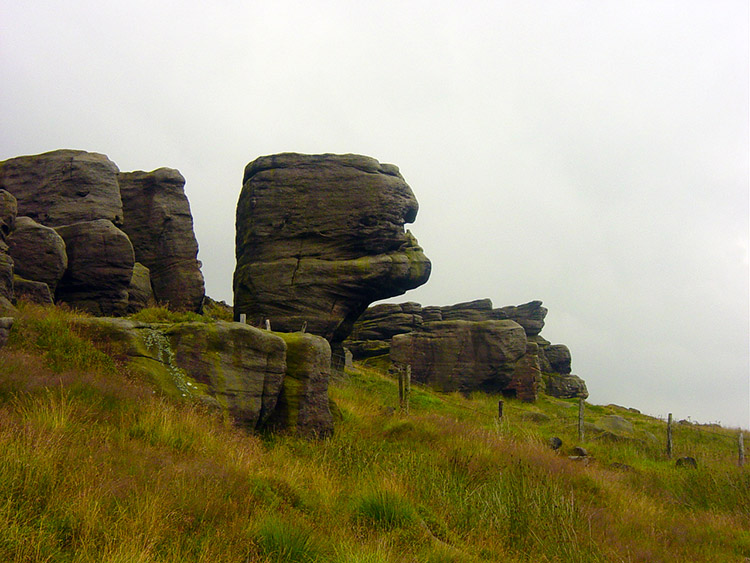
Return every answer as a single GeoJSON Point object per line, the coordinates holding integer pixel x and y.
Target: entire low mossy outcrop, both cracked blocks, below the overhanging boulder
{"type": "Point", "coordinates": [262, 379]}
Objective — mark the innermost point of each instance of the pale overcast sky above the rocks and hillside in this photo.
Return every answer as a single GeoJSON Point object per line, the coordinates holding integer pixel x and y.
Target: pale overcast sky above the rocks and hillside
{"type": "Point", "coordinates": [593, 155]}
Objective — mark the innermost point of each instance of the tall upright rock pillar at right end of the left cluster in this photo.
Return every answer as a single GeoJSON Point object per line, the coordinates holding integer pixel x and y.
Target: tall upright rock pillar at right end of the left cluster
{"type": "Point", "coordinates": [160, 226]}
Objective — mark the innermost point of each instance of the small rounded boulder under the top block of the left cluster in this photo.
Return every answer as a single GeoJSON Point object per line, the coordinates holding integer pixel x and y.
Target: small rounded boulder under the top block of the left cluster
{"type": "Point", "coordinates": [38, 252]}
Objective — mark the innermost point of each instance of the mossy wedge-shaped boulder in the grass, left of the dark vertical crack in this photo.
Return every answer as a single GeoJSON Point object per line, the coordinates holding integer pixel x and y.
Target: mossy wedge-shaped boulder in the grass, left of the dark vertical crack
{"type": "Point", "coordinates": [234, 366]}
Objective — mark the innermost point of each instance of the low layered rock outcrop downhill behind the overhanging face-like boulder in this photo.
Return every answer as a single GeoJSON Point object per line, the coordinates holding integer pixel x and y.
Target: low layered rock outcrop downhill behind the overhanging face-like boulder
{"type": "Point", "coordinates": [469, 346]}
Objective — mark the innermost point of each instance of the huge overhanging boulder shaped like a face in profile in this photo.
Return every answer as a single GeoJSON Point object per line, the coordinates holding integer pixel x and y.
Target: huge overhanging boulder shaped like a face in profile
{"type": "Point", "coordinates": [320, 237]}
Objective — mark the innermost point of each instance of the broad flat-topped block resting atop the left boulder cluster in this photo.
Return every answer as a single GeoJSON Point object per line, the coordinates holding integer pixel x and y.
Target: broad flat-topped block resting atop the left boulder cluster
{"type": "Point", "coordinates": [63, 187]}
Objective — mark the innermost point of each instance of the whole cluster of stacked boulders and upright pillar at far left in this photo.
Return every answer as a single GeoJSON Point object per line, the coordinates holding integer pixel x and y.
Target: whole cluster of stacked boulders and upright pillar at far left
{"type": "Point", "coordinates": [71, 241]}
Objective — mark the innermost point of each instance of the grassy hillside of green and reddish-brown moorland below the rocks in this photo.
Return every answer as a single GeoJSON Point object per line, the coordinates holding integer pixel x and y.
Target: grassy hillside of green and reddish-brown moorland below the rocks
{"type": "Point", "coordinates": [96, 466]}
